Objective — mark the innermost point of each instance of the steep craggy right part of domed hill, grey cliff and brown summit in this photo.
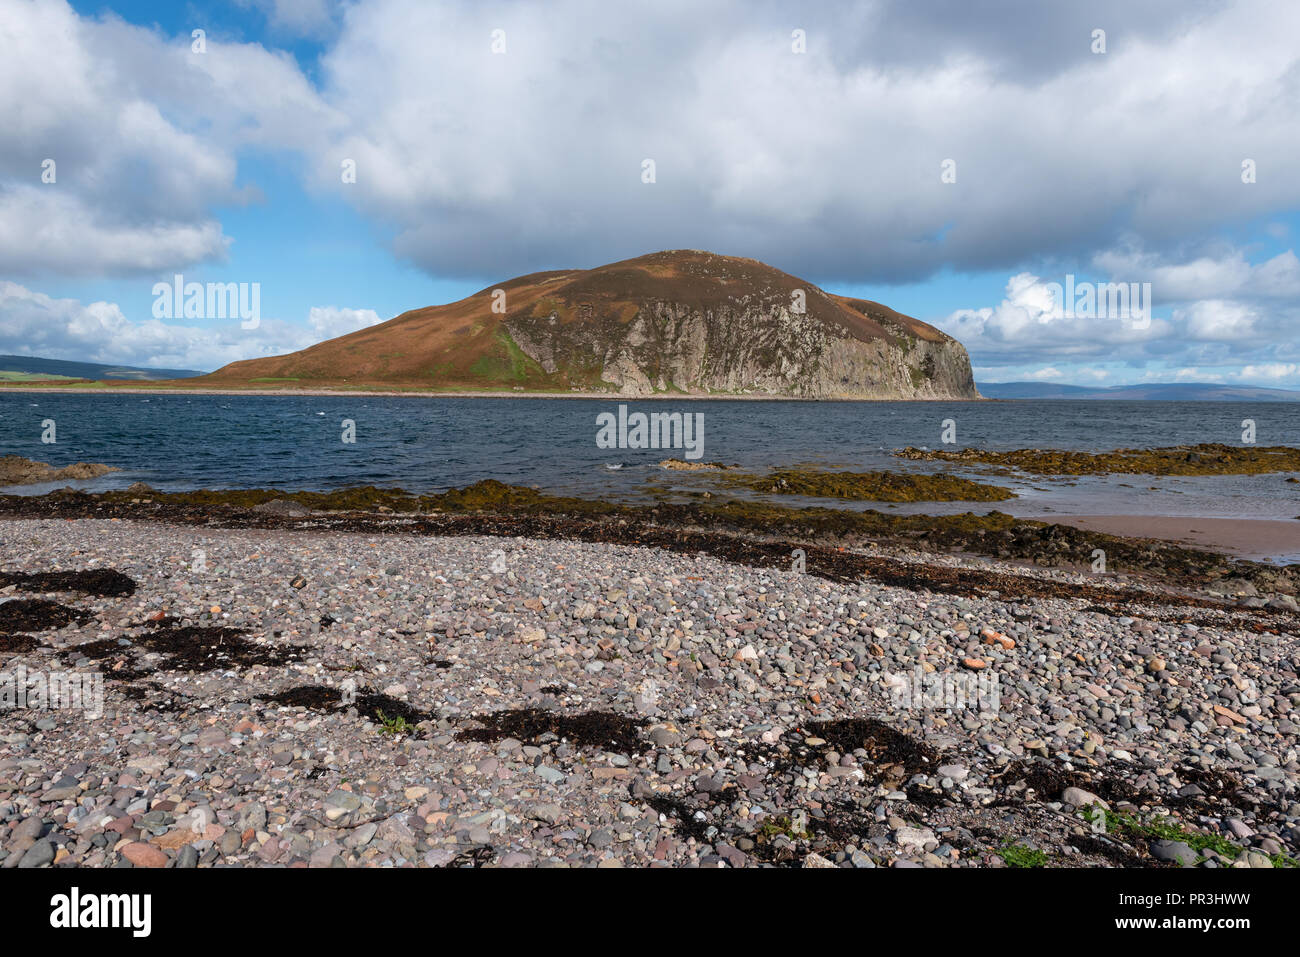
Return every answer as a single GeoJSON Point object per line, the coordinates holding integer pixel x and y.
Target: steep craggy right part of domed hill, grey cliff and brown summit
{"type": "Point", "coordinates": [705, 324]}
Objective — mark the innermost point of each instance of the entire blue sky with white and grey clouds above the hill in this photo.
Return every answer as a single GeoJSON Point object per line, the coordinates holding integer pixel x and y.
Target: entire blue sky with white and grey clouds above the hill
{"type": "Point", "coordinates": [356, 159]}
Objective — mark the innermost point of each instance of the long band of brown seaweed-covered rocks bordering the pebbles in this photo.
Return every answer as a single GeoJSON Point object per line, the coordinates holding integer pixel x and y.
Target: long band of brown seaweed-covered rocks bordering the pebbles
{"type": "Point", "coordinates": [762, 534]}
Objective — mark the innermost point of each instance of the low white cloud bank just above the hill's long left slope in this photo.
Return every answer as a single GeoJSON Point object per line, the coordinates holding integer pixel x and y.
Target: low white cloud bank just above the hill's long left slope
{"type": "Point", "coordinates": [36, 324]}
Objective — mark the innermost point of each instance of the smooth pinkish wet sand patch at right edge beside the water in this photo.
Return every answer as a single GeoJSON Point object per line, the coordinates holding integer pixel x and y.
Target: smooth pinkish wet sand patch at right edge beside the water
{"type": "Point", "coordinates": [1262, 540]}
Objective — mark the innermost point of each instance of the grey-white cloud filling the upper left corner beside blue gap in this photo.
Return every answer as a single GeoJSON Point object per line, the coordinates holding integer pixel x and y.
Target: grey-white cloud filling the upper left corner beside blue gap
{"type": "Point", "coordinates": [122, 142]}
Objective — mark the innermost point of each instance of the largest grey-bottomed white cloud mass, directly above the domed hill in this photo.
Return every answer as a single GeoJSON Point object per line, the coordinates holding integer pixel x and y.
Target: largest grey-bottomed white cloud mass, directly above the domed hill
{"type": "Point", "coordinates": [825, 163]}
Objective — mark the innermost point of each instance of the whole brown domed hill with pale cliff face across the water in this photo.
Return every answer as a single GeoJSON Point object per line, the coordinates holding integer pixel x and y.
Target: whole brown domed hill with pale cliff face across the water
{"type": "Point", "coordinates": [681, 322]}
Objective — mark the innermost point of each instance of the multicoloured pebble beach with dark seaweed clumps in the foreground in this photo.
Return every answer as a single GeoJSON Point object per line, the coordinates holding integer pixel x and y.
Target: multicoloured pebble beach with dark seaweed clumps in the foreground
{"type": "Point", "coordinates": [322, 699]}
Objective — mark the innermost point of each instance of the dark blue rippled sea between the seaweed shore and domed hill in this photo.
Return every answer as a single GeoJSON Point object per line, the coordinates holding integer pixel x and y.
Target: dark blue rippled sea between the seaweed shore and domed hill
{"type": "Point", "coordinates": [428, 444]}
